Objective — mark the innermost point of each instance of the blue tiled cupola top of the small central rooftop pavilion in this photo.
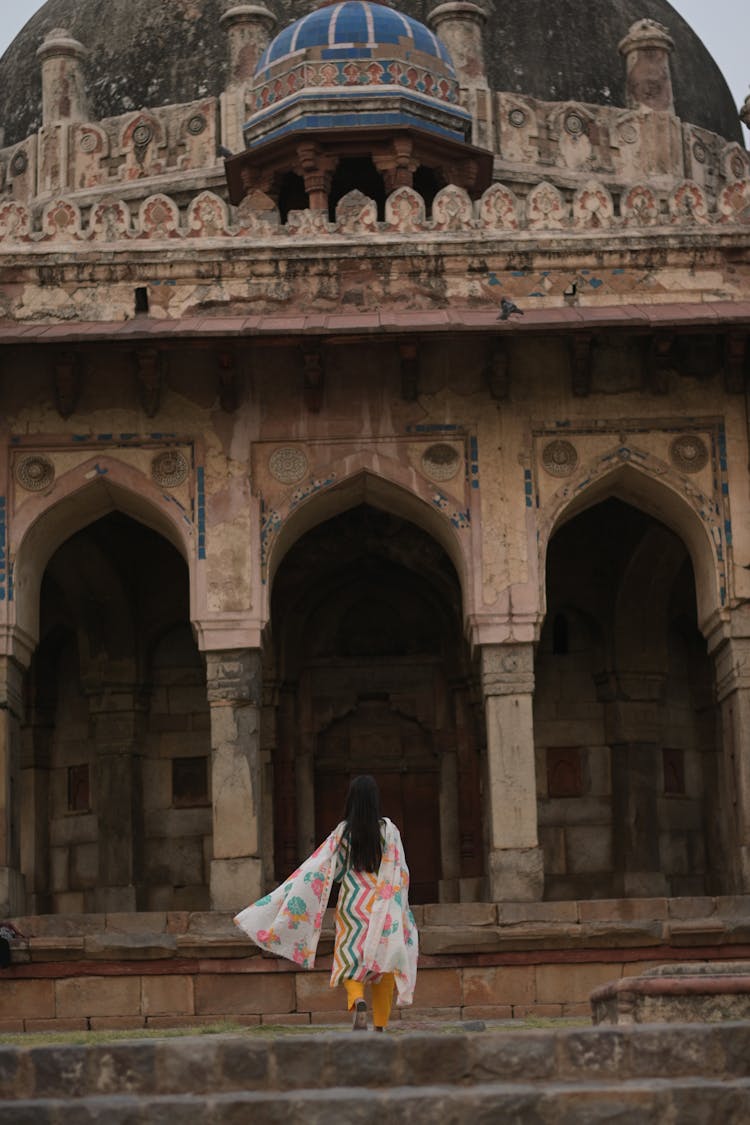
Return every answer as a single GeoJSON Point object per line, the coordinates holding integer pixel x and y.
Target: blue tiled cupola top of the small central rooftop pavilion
{"type": "Point", "coordinates": [355, 30]}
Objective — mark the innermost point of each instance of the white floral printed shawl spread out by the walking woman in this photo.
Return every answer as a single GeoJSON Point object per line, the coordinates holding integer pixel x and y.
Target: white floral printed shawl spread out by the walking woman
{"type": "Point", "coordinates": [288, 921]}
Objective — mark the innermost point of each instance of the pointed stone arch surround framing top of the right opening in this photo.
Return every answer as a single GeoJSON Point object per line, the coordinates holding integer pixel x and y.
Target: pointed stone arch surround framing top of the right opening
{"type": "Point", "coordinates": [694, 518]}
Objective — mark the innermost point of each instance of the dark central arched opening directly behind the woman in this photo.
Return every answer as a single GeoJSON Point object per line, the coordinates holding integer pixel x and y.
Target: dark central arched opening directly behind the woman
{"type": "Point", "coordinates": [372, 676]}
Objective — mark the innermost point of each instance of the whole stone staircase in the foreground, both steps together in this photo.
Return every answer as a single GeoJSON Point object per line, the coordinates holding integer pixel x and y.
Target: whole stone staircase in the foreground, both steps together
{"type": "Point", "coordinates": [648, 1075]}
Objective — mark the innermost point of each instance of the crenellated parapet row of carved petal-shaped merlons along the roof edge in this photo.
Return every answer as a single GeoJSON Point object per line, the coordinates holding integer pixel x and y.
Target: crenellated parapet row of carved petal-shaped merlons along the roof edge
{"type": "Point", "coordinates": [70, 222]}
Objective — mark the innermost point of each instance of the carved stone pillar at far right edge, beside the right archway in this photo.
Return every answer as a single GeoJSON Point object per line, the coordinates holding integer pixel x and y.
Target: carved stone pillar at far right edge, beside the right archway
{"type": "Point", "coordinates": [733, 663]}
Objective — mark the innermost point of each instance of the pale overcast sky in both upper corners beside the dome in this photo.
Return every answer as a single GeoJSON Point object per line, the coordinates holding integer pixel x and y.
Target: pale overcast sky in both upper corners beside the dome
{"type": "Point", "coordinates": [724, 25]}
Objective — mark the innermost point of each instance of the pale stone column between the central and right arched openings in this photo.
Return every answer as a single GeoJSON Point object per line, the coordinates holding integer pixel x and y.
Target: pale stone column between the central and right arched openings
{"type": "Point", "coordinates": [516, 865]}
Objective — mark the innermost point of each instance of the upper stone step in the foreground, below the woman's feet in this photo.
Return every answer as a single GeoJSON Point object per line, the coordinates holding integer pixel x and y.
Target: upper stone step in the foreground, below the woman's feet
{"type": "Point", "coordinates": [231, 1064]}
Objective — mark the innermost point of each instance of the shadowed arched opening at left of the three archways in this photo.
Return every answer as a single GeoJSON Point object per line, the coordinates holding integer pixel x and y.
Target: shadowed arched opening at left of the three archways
{"type": "Point", "coordinates": [116, 803]}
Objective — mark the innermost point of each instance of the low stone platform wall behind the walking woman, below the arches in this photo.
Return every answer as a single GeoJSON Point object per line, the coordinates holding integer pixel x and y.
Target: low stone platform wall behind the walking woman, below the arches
{"type": "Point", "coordinates": [478, 961]}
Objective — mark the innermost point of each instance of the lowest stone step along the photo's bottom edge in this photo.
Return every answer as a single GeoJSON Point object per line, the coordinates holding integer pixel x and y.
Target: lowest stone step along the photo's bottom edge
{"type": "Point", "coordinates": [647, 1102]}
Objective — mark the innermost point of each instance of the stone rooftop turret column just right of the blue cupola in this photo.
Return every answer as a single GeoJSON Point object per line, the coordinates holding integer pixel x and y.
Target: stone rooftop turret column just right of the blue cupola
{"type": "Point", "coordinates": [460, 25]}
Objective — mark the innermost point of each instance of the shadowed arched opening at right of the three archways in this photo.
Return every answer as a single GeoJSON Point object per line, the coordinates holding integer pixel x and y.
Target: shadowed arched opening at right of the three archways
{"type": "Point", "coordinates": [625, 715]}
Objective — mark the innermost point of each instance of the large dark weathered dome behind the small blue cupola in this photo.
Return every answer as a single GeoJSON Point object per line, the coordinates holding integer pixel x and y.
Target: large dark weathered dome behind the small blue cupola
{"type": "Point", "coordinates": [143, 53]}
